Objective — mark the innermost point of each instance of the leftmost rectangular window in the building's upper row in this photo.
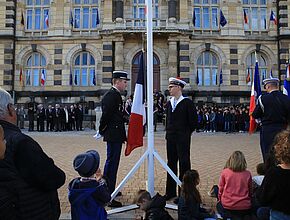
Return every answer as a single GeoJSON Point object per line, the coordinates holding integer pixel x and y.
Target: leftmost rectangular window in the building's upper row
{"type": "Point", "coordinates": [37, 14]}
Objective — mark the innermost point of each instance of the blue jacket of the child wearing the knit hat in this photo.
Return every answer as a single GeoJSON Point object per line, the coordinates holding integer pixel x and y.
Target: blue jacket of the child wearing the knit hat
{"type": "Point", "coordinates": [88, 199]}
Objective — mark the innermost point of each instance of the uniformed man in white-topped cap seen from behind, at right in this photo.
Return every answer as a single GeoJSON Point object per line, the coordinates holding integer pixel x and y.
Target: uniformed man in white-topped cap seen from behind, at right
{"type": "Point", "coordinates": [273, 109]}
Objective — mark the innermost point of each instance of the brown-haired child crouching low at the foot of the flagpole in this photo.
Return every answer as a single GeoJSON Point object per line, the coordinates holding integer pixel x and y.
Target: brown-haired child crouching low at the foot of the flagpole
{"type": "Point", "coordinates": [154, 207]}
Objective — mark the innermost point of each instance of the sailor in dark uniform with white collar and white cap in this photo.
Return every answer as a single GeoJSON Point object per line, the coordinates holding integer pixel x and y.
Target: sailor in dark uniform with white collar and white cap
{"type": "Point", "coordinates": [181, 121]}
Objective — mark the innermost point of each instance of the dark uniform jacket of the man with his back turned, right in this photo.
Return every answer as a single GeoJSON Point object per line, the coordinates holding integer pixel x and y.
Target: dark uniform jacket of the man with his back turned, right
{"type": "Point", "coordinates": [276, 109]}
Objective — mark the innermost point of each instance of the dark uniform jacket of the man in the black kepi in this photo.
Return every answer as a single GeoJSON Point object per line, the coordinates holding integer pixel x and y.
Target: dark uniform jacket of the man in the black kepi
{"type": "Point", "coordinates": [112, 120]}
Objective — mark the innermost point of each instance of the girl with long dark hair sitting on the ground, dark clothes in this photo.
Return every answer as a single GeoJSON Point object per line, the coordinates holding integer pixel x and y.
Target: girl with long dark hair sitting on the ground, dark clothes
{"type": "Point", "coordinates": [189, 204]}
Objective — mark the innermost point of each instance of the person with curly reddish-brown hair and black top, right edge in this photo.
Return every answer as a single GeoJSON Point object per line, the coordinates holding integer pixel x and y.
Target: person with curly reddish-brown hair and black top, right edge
{"type": "Point", "coordinates": [275, 189]}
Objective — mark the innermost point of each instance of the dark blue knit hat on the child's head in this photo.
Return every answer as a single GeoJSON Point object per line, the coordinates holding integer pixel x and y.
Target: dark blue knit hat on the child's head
{"type": "Point", "coordinates": [87, 164]}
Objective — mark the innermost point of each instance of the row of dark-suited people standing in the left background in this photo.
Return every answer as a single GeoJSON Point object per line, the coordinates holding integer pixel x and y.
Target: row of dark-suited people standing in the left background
{"type": "Point", "coordinates": [53, 118]}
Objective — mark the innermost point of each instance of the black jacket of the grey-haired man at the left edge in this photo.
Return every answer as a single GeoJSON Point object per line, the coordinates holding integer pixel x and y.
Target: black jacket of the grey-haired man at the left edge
{"type": "Point", "coordinates": [29, 179]}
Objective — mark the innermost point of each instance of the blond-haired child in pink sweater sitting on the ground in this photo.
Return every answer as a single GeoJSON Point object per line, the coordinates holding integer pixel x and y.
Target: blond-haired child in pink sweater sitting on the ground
{"type": "Point", "coordinates": [235, 188]}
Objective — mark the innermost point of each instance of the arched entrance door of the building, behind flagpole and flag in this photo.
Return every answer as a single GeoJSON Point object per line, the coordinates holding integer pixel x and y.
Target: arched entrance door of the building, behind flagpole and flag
{"type": "Point", "coordinates": [156, 71]}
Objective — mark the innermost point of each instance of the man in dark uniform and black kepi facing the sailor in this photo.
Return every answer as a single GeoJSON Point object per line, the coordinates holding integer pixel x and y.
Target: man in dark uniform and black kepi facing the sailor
{"type": "Point", "coordinates": [113, 129]}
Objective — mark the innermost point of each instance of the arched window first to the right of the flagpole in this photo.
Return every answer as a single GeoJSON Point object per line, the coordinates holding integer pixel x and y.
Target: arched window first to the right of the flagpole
{"type": "Point", "coordinates": [207, 69]}
